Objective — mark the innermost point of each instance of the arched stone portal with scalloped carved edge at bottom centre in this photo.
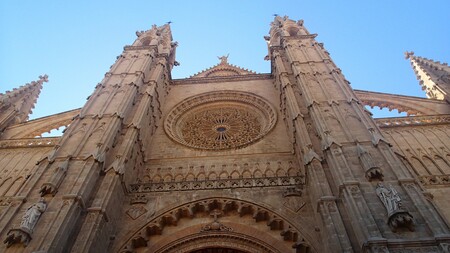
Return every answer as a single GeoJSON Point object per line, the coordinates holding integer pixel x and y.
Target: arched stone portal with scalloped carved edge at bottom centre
{"type": "Point", "coordinates": [218, 225]}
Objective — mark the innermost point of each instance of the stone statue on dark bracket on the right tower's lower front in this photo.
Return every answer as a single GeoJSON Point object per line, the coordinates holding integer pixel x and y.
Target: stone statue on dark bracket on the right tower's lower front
{"type": "Point", "coordinates": [397, 217]}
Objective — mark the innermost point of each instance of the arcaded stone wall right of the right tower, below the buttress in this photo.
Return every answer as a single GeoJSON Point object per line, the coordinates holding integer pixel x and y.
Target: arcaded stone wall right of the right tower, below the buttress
{"type": "Point", "coordinates": [425, 150]}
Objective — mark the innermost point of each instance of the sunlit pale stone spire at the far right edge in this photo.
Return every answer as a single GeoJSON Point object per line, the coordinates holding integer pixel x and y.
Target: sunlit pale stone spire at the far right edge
{"type": "Point", "coordinates": [434, 77]}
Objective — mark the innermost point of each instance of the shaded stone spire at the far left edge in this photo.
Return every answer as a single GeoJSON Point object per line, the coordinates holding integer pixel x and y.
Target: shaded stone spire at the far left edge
{"type": "Point", "coordinates": [16, 105]}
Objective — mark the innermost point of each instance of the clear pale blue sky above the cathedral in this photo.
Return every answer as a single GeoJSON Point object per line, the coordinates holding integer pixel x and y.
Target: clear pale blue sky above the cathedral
{"type": "Point", "coordinates": [75, 42]}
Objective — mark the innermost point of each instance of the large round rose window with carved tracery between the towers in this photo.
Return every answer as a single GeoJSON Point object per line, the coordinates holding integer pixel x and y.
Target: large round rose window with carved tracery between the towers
{"type": "Point", "coordinates": [220, 120]}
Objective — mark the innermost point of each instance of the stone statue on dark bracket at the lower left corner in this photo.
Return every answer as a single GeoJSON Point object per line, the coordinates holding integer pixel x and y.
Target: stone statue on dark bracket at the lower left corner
{"type": "Point", "coordinates": [29, 220]}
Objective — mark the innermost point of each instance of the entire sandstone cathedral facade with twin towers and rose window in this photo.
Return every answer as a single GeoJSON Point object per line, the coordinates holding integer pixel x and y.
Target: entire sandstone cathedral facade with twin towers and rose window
{"type": "Point", "coordinates": [229, 160]}
